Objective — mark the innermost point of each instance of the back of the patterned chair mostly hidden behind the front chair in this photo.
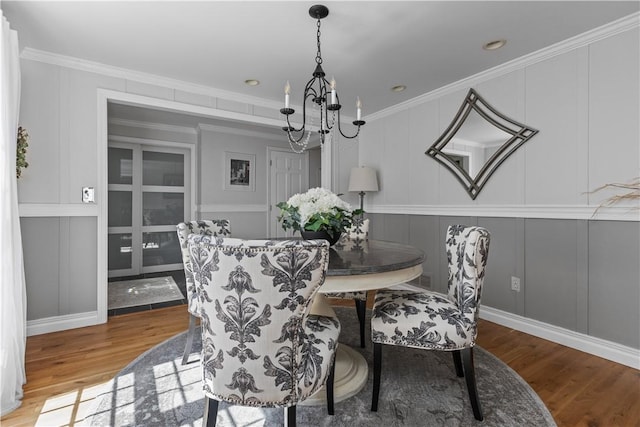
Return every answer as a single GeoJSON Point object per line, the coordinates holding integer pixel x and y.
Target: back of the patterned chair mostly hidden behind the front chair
{"type": "Point", "coordinates": [214, 227]}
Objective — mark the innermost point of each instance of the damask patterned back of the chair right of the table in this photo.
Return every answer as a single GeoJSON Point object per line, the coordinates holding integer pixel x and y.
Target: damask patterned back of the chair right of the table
{"type": "Point", "coordinates": [467, 252]}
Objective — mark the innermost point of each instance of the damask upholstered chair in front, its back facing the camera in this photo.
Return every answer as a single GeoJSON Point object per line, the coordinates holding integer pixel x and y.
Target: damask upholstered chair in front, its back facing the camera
{"type": "Point", "coordinates": [261, 347]}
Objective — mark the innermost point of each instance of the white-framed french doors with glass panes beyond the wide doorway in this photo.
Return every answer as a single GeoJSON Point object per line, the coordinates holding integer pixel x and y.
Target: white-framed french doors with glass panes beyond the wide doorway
{"type": "Point", "coordinates": [148, 196]}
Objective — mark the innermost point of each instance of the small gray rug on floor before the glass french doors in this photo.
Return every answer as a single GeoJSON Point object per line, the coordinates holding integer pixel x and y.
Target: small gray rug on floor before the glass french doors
{"type": "Point", "coordinates": [152, 290]}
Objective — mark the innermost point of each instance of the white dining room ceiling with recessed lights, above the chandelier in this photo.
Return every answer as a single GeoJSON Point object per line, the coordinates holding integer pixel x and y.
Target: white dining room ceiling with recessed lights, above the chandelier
{"type": "Point", "coordinates": [369, 46]}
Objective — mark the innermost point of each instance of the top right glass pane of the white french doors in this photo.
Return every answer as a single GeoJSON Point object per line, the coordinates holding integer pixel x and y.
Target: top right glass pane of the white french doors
{"type": "Point", "coordinates": [162, 169]}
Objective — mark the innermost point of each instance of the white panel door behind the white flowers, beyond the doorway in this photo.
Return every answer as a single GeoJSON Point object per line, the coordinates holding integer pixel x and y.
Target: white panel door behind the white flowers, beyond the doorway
{"type": "Point", "coordinates": [288, 175]}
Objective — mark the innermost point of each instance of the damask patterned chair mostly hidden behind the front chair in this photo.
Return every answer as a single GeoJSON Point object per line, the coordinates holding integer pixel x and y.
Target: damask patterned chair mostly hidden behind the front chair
{"type": "Point", "coordinates": [215, 227]}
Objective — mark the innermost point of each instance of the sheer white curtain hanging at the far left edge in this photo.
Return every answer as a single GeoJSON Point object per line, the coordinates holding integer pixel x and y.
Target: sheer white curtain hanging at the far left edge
{"type": "Point", "coordinates": [12, 286]}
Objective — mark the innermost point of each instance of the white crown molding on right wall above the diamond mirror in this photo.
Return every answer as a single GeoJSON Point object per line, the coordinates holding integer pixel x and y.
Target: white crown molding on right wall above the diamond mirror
{"type": "Point", "coordinates": [616, 27]}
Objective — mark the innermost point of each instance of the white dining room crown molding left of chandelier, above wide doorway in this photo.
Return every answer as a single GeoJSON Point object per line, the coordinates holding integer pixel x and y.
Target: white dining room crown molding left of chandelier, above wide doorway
{"type": "Point", "coordinates": [147, 78]}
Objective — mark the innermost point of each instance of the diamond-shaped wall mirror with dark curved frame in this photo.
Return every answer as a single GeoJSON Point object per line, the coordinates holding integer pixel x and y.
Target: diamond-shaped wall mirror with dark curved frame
{"type": "Point", "coordinates": [477, 141]}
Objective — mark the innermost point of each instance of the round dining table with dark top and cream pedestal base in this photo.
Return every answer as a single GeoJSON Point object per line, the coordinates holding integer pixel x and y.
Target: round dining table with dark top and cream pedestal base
{"type": "Point", "coordinates": [361, 265]}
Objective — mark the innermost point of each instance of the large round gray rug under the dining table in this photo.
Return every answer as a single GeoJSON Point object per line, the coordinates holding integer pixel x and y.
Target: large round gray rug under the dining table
{"type": "Point", "coordinates": [419, 388]}
